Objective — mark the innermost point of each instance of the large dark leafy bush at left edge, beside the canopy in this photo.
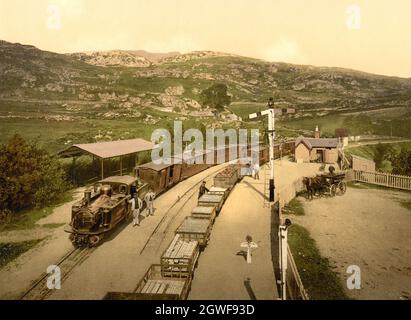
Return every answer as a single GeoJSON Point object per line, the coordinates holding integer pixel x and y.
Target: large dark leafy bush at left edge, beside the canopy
{"type": "Point", "coordinates": [29, 176]}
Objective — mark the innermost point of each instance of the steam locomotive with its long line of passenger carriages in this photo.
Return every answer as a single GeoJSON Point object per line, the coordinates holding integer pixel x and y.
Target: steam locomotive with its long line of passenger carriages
{"type": "Point", "coordinates": [106, 205]}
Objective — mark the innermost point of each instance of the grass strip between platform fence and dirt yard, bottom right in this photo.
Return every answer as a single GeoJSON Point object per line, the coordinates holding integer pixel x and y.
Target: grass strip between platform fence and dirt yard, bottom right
{"type": "Point", "coordinates": [320, 281]}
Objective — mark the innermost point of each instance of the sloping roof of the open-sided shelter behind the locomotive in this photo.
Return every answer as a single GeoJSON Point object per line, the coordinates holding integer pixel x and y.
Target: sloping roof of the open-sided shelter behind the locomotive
{"type": "Point", "coordinates": [108, 150]}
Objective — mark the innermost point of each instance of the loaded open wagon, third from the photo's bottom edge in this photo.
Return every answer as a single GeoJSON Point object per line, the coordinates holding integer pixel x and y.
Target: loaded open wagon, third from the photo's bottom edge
{"type": "Point", "coordinates": [194, 229]}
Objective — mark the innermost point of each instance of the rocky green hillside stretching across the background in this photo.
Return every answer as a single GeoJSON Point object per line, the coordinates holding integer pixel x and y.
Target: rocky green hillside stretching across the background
{"type": "Point", "coordinates": [60, 99]}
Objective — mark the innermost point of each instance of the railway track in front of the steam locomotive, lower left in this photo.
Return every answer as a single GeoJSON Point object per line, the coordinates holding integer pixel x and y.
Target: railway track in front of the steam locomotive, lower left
{"type": "Point", "coordinates": [39, 289]}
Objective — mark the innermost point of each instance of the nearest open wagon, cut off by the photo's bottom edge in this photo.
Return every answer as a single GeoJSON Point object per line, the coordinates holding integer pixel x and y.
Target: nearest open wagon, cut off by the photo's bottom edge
{"type": "Point", "coordinates": [154, 286]}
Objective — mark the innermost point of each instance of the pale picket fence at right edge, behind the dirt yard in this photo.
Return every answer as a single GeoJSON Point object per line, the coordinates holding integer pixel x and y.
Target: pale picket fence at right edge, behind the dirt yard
{"type": "Point", "coordinates": [383, 179]}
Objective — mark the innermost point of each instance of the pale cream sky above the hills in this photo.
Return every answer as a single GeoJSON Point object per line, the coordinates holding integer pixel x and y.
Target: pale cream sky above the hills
{"type": "Point", "coordinates": [372, 35]}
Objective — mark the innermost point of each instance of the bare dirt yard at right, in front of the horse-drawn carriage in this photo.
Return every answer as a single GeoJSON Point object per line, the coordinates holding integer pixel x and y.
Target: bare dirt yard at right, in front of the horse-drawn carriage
{"type": "Point", "coordinates": [368, 228]}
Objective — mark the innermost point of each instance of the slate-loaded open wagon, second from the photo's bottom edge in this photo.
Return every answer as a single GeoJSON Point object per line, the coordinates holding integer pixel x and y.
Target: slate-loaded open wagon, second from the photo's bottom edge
{"type": "Point", "coordinates": [180, 258]}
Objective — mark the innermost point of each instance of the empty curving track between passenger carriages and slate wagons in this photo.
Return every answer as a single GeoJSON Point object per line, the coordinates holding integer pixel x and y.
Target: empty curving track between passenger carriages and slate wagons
{"type": "Point", "coordinates": [175, 209]}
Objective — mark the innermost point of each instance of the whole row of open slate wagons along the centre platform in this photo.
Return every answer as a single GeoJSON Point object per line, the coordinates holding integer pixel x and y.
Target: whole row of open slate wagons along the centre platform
{"type": "Point", "coordinates": [172, 277]}
